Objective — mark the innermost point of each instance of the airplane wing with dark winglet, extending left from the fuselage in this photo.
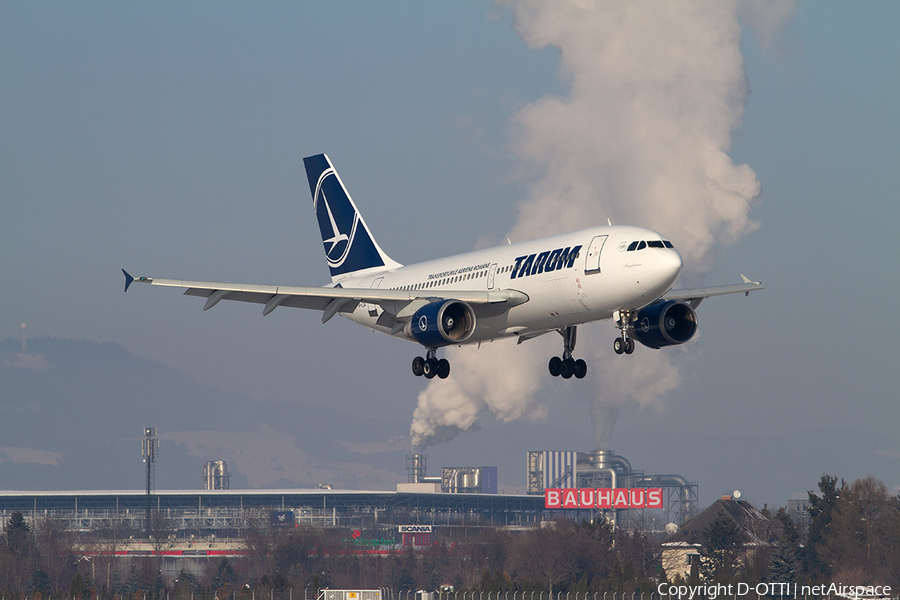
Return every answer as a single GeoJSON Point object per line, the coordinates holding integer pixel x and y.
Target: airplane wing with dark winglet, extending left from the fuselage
{"type": "Point", "coordinates": [400, 304]}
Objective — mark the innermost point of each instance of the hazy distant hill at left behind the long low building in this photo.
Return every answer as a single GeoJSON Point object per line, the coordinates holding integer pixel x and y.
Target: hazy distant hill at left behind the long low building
{"type": "Point", "coordinates": [72, 414]}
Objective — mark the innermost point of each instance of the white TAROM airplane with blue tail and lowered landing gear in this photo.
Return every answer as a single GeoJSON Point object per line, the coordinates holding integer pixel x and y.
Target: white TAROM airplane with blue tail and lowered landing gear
{"type": "Point", "coordinates": [520, 290]}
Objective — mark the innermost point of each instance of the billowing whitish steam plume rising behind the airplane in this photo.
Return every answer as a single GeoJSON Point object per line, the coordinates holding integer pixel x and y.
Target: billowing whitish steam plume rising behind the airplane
{"type": "Point", "coordinates": [656, 92]}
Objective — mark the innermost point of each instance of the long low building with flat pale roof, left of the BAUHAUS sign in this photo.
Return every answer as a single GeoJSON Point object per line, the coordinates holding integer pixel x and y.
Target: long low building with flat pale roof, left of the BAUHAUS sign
{"type": "Point", "coordinates": [227, 513]}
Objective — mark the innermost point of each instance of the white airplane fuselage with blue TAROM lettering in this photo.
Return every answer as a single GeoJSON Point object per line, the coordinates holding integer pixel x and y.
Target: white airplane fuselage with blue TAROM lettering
{"type": "Point", "coordinates": [599, 276]}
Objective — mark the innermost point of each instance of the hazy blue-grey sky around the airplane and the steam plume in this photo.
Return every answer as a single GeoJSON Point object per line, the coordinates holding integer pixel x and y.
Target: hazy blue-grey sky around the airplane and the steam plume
{"type": "Point", "coordinates": [167, 138]}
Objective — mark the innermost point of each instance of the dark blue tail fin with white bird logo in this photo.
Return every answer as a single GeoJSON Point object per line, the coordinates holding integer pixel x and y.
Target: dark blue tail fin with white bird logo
{"type": "Point", "coordinates": [349, 245]}
